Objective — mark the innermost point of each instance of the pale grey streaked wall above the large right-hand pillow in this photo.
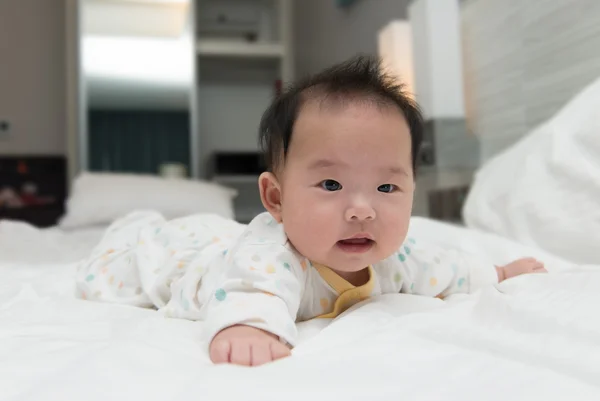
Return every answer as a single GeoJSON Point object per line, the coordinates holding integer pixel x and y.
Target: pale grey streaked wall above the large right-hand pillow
{"type": "Point", "coordinates": [523, 60]}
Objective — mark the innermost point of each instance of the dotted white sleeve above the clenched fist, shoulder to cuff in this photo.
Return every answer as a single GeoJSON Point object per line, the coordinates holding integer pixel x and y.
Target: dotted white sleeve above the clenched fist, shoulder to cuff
{"type": "Point", "coordinates": [260, 284]}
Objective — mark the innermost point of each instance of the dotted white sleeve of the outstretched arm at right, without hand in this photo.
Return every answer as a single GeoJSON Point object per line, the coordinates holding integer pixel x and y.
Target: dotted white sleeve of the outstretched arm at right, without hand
{"type": "Point", "coordinates": [421, 269]}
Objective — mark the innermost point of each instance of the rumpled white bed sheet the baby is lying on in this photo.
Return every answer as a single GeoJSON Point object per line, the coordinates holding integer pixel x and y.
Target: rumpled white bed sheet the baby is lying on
{"type": "Point", "coordinates": [537, 338]}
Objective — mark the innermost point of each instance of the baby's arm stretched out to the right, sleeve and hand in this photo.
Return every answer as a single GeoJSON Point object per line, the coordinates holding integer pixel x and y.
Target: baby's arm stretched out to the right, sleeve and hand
{"type": "Point", "coordinates": [437, 272]}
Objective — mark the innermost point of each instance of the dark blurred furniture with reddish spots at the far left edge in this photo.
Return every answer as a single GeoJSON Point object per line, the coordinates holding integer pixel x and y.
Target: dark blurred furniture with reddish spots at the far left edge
{"type": "Point", "coordinates": [33, 188]}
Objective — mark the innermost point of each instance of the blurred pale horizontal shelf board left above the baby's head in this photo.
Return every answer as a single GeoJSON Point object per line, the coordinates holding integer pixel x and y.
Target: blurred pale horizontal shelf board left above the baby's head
{"type": "Point", "coordinates": [224, 48]}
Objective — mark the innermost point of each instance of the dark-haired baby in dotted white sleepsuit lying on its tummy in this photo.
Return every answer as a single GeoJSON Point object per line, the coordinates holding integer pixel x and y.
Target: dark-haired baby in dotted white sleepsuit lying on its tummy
{"type": "Point", "coordinates": [341, 150]}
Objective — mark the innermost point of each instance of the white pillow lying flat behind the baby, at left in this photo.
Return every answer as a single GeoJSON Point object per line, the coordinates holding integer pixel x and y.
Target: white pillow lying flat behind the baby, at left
{"type": "Point", "coordinates": [101, 198]}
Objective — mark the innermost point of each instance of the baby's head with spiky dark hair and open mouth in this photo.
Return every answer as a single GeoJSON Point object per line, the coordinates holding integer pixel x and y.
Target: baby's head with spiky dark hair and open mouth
{"type": "Point", "coordinates": [341, 150]}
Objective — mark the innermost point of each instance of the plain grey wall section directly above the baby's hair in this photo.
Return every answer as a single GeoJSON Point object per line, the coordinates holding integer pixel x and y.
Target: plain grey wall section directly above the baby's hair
{"type": "Point", "coordinates": [326, 34]}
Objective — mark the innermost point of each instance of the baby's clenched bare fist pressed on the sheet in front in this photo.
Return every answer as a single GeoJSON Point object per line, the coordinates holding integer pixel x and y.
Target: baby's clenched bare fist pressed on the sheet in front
{"type": "Point", "coordinates": [245, 345]}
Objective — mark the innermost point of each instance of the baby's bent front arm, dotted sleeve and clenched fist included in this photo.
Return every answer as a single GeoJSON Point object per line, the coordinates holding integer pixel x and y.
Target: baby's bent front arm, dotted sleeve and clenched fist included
{"type": "Point", "coordinates": [253, 310]}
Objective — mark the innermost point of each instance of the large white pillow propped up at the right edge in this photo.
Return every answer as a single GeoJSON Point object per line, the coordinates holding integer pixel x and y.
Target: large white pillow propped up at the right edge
{"type": "Point", "coordinates": [545, 190]}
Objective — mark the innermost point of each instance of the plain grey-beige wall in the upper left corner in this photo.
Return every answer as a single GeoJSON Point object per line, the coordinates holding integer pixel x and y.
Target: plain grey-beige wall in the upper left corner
{"type": "Point", "coordinates": [32, 78]}
